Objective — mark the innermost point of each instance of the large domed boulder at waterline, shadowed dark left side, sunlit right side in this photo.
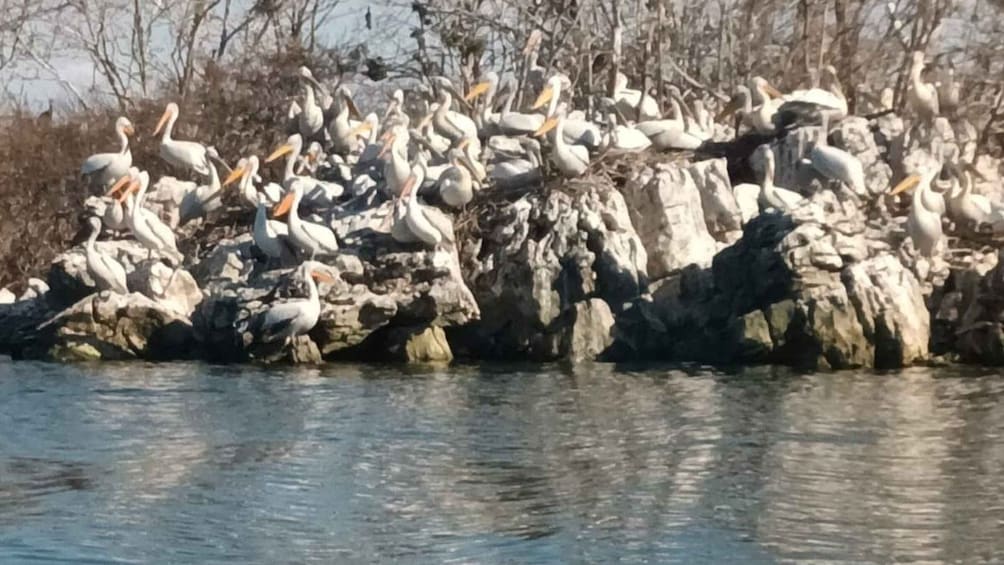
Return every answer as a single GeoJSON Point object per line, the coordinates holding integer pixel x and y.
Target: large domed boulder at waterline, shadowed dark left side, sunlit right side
{"type": "Point", "coordinates": [797, 291]}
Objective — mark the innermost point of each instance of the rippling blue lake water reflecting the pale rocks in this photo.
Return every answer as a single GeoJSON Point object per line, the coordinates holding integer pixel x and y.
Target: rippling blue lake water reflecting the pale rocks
{"type": "Point", "coordinates": [598, 464]}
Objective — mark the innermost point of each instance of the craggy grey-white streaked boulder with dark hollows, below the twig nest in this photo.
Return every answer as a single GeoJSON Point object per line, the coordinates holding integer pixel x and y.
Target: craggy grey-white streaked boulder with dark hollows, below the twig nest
{"type": "Point", "coordinates": [540, 256]}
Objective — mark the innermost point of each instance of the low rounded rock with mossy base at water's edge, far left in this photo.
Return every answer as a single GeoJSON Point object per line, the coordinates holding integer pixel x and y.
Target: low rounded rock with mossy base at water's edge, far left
{"type": "Point", "coordinates": [113, 327]}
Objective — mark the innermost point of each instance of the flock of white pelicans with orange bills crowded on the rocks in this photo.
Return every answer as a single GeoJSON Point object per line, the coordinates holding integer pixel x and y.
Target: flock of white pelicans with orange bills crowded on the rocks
{"type": "Point", "coordinates": [436, 151]}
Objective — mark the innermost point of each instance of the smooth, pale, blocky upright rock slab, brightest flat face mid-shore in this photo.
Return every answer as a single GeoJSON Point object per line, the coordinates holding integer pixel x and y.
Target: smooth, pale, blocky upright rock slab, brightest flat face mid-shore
{"type": "Point", "coordinates": [667, 212]}
